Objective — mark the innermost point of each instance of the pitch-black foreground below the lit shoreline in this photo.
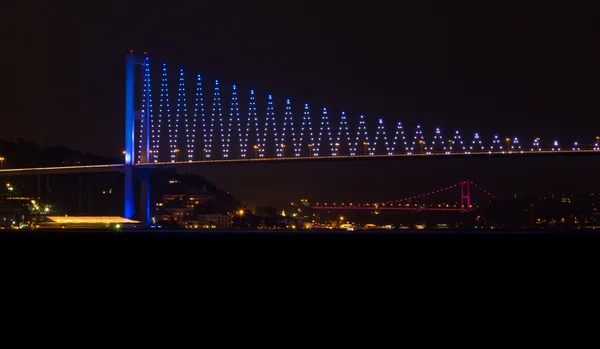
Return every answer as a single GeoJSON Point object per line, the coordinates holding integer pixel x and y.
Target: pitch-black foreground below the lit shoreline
{"type": "Point", "coordinates": [294, 290]}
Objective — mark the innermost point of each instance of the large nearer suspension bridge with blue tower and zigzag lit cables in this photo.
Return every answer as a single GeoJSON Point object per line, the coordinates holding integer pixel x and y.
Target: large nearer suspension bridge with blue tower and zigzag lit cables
{"type": "Point", "coordinates": [168, 129]}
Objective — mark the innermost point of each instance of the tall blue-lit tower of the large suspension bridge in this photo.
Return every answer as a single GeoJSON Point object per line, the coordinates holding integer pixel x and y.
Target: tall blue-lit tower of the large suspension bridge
{"type": "Point", "coordinates": [135, 67]}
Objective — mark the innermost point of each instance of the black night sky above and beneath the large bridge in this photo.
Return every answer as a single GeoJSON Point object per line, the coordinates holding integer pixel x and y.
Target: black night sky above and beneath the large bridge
{"type": "Point", "coordinates": [515, 69]}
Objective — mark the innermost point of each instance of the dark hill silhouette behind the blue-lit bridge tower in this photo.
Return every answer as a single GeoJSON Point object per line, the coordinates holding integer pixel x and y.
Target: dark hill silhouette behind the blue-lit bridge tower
{"type": "Point", "coordinates": [95, 193]}
